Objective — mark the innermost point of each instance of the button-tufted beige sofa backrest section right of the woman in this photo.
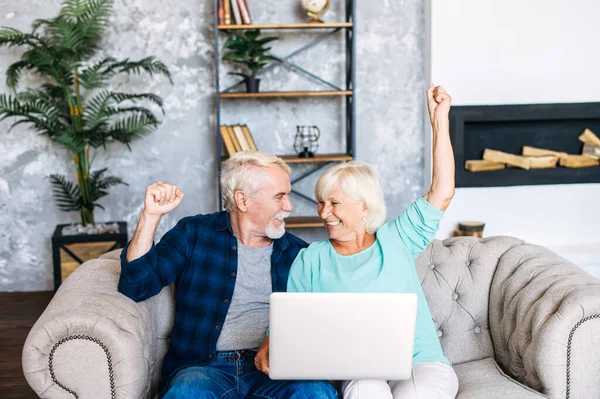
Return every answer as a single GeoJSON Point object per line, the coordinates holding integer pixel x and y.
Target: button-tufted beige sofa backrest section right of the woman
{"type": "Point", "coordinates": [456, 275]}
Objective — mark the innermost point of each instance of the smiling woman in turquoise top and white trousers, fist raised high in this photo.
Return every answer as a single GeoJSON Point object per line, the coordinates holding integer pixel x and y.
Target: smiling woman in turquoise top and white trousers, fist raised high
{"type": "Point", "coordinates": [364, 254]}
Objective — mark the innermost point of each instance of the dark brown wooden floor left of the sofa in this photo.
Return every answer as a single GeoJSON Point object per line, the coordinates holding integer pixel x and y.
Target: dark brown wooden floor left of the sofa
{"type": "Point", "coordinates": [18, 313]}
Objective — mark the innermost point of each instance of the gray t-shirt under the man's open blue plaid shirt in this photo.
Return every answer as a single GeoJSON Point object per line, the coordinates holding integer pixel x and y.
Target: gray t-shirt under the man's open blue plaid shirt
{"type": "Point", "coordinates": [248, 316]}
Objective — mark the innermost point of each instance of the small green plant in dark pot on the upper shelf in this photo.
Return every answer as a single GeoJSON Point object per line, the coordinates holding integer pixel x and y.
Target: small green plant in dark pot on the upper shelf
{"type": "Point", "coordinates": [249, 50]}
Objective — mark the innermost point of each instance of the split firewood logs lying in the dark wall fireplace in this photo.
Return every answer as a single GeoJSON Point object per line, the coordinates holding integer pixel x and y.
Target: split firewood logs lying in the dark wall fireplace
{"type": "Point", "coordinates": [540, 158]}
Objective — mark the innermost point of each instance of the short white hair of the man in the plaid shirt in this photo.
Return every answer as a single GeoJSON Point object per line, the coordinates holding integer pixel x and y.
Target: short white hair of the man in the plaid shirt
{"type": "Point", "coordinates": [240, 172]}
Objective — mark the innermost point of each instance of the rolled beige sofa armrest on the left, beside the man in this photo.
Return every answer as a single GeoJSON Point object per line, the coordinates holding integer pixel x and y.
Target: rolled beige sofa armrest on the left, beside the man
{"type": "Point", "coordinates": [91, 339]}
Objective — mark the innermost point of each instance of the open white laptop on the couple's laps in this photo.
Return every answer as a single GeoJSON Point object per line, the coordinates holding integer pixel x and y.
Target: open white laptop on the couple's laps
{"type": "Point", "coordinates": [340, 336]}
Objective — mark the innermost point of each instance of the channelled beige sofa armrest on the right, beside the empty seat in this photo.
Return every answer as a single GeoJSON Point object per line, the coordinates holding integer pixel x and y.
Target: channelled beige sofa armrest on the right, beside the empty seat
{"type": "Point", "coordinates": [544, 314]}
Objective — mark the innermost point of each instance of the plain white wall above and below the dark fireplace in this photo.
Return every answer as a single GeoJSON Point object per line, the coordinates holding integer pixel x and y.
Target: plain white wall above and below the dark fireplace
{"type": "Point", "coordinates": [516, 52]}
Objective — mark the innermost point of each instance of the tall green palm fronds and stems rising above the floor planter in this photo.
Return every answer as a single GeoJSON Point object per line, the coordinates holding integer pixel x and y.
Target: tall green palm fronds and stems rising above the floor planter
{"type": "Point", "coordinates": [73, 106]}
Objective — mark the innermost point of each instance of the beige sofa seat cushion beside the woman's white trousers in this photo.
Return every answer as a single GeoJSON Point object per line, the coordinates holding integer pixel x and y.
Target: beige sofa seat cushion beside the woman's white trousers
{"type": "Point", "coordinates": [484, 379]}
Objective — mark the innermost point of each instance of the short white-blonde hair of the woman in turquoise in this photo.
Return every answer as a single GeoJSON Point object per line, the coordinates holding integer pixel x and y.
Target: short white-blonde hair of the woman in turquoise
{"type": "Point", "coordinates": [361, 182]}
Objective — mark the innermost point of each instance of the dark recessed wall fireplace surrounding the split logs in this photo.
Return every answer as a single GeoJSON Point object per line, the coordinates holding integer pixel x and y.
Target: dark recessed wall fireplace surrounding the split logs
{"type": "Point", "coordinates": [508, 128]}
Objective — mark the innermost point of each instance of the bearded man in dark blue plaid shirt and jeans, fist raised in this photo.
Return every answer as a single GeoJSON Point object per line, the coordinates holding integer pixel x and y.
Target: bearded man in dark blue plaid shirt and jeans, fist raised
{"type": "Point", "coordinates": [225, 265]}
